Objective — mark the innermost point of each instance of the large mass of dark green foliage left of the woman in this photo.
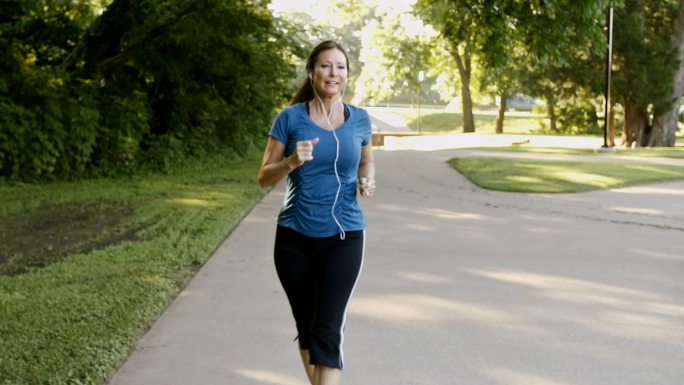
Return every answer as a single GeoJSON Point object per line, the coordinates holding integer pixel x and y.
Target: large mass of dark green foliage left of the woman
{"type": "Point", "coordinates": [152, 83]}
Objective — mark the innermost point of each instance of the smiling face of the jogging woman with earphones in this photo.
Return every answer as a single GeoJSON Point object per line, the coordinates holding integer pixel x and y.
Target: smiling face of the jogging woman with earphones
{"type": "Point", "coordinates": [330, 73]}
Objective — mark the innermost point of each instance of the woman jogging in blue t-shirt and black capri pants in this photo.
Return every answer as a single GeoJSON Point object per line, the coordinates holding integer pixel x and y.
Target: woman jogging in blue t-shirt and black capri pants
{"type": "Point", "coordinates": [323, 146]}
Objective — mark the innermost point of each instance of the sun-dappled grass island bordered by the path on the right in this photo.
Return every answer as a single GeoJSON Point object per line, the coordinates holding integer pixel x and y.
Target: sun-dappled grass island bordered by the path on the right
{"type": "Point", "coordinates": [544, 176]}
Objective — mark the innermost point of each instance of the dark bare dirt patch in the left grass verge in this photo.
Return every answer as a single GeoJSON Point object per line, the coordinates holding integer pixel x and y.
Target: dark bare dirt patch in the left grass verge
{"type": "Point", "coordinates": [40, 237]}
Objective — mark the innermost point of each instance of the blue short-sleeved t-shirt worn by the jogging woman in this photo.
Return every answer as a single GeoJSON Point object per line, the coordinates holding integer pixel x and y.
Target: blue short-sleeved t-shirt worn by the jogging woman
{"type": "Point", "coordinates": [311, 188]}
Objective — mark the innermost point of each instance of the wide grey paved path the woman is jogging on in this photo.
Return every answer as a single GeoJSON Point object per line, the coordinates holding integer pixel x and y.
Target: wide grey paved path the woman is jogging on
{"type": "Point", "coordinates": [460, 286]}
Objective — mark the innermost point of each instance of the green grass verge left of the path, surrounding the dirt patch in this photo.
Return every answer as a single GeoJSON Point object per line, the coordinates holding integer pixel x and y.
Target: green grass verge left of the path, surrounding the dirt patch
{"type": "Point", "coordinates": [75, 319]}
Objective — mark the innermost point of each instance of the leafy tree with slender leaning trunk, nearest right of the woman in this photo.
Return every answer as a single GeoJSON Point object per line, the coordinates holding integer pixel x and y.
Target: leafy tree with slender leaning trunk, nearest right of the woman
{"type": "Point", "coordinates": [488, 30]}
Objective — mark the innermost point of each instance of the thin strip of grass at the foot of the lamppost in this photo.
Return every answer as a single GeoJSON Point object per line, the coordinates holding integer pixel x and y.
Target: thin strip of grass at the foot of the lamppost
{"type": "Point", "coordinates": [665, 152]}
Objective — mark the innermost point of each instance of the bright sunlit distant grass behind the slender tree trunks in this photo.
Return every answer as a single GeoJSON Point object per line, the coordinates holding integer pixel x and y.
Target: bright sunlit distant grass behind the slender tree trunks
{"type": "Point", "coordinates": [438, 121]}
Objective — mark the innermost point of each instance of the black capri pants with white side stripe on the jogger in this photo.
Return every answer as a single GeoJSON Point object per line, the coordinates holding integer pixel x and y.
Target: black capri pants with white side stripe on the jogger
{"type": "Point", "coordinates": [319, 276]}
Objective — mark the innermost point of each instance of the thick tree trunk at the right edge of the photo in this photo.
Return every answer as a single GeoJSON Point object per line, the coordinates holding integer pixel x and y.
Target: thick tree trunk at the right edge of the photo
{"type": "Point", "coordinates": [665, 122]}
